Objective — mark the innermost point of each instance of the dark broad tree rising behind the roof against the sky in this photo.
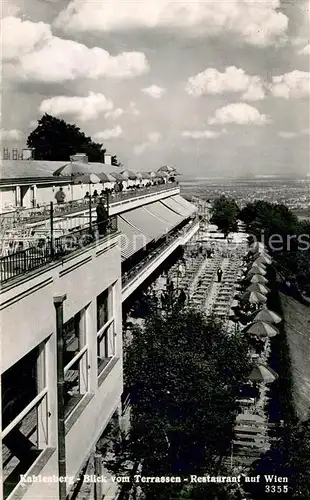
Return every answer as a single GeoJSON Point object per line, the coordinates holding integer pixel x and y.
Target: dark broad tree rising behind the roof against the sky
{"type": "Point", "coordinates": [54, 139]}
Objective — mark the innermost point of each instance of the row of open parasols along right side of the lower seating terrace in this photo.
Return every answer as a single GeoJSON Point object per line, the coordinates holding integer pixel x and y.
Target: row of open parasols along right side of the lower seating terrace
{"type": "Point", "coordinates": [262, 322]}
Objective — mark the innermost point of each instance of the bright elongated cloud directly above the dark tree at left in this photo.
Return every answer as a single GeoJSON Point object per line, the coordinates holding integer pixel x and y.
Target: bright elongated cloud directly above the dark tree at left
{"type": "Point", "coordinates": [82, 108]}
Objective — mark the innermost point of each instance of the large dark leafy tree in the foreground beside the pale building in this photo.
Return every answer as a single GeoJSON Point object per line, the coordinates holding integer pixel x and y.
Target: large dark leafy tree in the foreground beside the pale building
{"type": "Point", "coordinates": [184, 373]}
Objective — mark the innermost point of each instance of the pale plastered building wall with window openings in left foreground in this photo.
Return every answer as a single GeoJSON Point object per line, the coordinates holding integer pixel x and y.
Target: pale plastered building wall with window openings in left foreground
{"type": "Point", "coordinates": [28, 318]}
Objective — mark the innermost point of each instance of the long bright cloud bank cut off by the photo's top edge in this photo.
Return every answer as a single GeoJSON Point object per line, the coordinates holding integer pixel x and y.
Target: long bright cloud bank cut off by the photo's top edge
{"type": "Point", "coordinates": [257, 23]}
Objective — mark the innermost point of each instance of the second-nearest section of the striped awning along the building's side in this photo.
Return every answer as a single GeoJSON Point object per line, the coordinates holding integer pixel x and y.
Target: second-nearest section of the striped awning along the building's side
{"type": "Point", "coordinates": [149, 225]}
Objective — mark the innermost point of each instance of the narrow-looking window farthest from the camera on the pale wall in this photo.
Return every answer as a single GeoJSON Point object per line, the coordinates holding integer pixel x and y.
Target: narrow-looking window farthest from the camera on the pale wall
{"type": "Point", "coordinates": [105, 328]}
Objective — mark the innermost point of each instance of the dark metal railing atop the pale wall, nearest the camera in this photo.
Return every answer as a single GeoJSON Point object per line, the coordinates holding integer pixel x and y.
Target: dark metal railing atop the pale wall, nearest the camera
{"type": "Point", "coordinates": [48, 250]}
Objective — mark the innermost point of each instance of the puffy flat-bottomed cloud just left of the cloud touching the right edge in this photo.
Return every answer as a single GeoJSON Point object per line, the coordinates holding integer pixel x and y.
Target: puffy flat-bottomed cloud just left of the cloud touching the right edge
{"type": "Point", "coordinates": [211, 81]}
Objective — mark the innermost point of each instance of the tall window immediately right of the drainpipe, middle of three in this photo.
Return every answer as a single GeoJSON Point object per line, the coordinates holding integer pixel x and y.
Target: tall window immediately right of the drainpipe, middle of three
{"type": "Point", "coordinates": [75, 360]}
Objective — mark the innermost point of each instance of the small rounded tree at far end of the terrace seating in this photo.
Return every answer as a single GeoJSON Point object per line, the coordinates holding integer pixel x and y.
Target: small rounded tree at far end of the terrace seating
{"type": "Point", "coordinates": [225, 213]}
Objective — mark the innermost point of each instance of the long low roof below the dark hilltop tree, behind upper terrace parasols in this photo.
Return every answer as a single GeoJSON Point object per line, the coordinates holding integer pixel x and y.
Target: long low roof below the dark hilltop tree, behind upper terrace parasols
{"type": "Point", "coordinates": [29, 169]}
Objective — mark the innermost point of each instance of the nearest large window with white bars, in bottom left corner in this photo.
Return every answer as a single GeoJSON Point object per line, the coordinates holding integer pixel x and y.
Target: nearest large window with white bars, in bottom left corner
{"type": "Point", "coordinates": [24, 416]}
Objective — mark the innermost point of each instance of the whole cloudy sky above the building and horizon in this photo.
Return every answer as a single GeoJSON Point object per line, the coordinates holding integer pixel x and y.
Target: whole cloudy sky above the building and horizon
{"type": "Point", "coordinates": [215, 87]}
